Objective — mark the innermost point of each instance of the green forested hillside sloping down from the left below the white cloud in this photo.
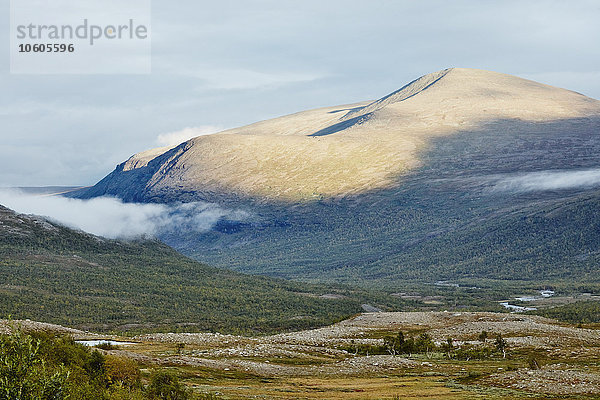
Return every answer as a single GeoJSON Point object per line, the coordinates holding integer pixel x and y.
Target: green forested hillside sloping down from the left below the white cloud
{"type": "Point", "coordinates": [54, 274]}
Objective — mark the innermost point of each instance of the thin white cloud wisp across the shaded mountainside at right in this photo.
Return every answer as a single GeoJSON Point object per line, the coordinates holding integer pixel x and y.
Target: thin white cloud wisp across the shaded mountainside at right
{"type": "Point", "coordinates": [549, 180]}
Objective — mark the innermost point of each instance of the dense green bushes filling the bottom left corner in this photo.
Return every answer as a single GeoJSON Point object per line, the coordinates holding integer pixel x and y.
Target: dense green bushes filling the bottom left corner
{"type": "Point", "coordinates": [46, 367]}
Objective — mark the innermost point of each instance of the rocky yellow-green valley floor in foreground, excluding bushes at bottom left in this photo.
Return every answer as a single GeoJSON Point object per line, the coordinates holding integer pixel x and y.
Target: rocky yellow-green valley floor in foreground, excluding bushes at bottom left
{"type": "Point", "coordinates": [544, 359]}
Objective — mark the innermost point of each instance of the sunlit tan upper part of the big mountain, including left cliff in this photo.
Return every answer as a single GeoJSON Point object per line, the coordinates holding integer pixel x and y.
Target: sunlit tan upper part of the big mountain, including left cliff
{"type": "Point", "coordinates": [342, 150]}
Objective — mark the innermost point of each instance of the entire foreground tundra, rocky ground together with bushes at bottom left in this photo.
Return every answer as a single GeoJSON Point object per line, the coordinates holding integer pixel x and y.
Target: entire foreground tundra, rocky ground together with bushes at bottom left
{"type": "Point", "coordinates": [374, 355]}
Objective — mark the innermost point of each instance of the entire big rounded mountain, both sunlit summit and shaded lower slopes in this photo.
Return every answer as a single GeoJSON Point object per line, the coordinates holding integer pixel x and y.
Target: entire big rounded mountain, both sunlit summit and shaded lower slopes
{"type": "Point", "coordinates": [459, 174]}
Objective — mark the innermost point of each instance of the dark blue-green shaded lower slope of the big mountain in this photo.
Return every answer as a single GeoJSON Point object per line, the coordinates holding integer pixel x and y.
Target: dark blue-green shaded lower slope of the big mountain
{"type": "Point", "coordinates": [440, 221]}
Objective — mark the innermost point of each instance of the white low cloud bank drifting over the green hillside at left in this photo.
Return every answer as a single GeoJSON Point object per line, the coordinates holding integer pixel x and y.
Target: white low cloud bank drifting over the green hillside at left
{"type": "Point", "coordinates": [111, 218]}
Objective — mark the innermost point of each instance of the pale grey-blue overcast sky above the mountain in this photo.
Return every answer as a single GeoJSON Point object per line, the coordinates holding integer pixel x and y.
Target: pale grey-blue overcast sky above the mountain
{"type": "Point", "coordinates": [220, 64]}
